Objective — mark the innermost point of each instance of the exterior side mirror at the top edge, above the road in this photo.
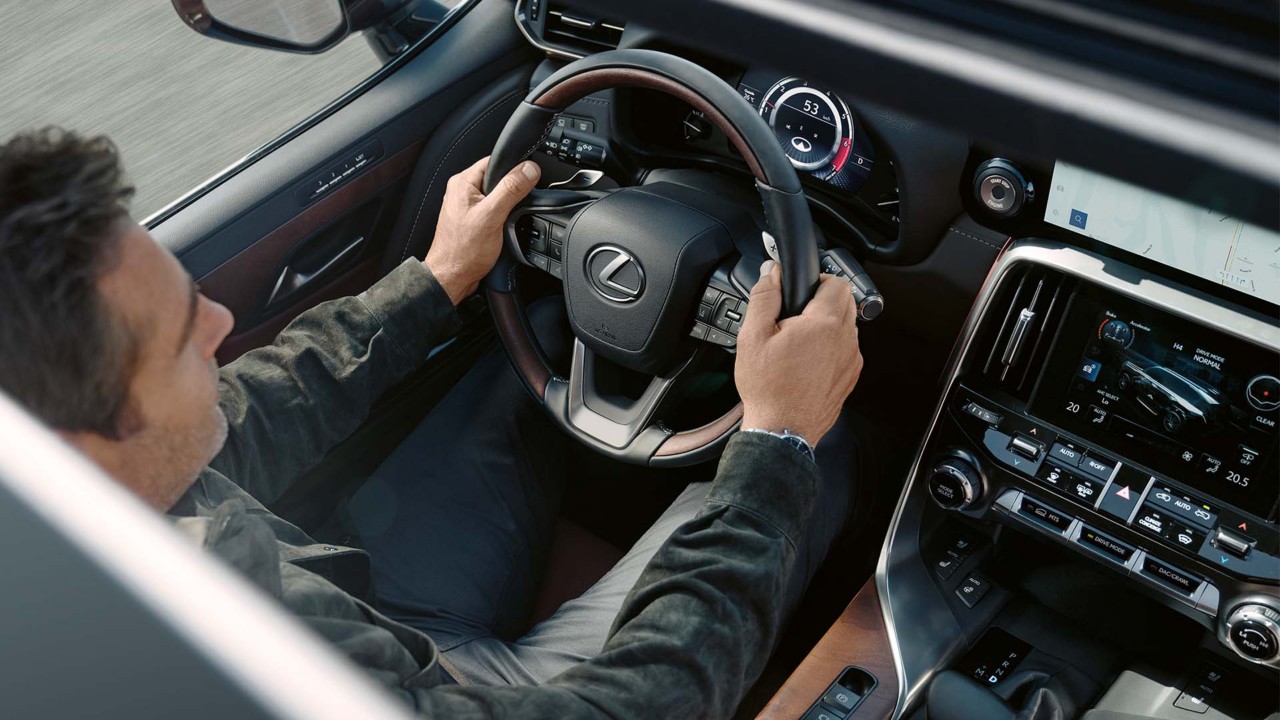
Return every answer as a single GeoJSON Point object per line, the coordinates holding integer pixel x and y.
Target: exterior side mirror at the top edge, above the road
{"type": "Point", "coordinates": [296, 26]}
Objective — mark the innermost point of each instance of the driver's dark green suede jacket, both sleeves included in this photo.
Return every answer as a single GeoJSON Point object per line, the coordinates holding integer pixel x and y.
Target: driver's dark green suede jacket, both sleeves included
{"type": "Point", "coordinates": [693, 635]}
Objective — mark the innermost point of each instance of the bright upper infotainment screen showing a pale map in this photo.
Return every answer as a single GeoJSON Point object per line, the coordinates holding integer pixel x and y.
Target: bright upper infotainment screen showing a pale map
{"type": "Point", "coordinates": [1177, 234]}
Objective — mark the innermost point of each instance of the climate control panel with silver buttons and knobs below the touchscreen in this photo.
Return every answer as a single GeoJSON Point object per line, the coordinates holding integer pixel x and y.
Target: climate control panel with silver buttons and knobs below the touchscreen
{"type": "Point", "coordinates": [1176, 543]}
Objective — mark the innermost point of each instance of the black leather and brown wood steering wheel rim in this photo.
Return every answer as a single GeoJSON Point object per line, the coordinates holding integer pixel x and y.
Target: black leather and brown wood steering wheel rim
{"type": "Point", "coordinates": [787, 213]}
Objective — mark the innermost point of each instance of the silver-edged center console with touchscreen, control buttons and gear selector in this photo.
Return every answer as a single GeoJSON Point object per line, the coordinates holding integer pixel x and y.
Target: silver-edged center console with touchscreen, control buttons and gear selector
{"type": "Point", "coordinates": [1090, 527]}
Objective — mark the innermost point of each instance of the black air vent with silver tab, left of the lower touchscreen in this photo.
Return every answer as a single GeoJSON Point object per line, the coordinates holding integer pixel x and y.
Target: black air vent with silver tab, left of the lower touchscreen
{"type": "Point", "coordinates": [1020, 327]}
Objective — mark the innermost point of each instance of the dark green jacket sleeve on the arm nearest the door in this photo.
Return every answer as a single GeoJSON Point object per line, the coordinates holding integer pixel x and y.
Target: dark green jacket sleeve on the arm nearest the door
{"type": "Point", "coordinates": [287, 404]}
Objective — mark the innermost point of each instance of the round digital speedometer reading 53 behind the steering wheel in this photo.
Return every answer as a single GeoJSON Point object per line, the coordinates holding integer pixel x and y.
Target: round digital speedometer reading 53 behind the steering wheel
{"type": "Point", "coordinates": [815, 127]}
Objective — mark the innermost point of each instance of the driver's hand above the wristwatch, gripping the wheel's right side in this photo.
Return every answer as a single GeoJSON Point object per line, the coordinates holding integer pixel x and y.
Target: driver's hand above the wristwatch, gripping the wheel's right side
{"type": "Point", "coordinates": [794, 375]}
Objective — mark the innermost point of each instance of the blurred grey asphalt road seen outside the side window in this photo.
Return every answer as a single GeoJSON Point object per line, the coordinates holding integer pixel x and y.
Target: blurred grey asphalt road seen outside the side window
{"type": "Point", "coordinates": [181, 107]}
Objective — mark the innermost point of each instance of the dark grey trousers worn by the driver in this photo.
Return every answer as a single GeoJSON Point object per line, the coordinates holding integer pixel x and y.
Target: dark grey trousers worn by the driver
{"type": "Point", "coordinates": [460, 518]}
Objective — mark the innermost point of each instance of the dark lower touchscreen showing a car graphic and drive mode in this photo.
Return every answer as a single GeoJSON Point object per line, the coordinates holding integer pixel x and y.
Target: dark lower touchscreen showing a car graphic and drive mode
{"type": "Point", "coordinates": [1191, 403]}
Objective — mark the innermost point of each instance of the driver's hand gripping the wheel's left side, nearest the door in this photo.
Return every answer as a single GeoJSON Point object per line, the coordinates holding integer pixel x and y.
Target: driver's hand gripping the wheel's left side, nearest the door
{"type": "Point", "coordinates": [469, 234]}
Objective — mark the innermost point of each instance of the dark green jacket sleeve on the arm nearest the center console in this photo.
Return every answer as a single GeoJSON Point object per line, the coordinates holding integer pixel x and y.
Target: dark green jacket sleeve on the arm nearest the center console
{"type": "Point", "coordinates": [698, 628]}
